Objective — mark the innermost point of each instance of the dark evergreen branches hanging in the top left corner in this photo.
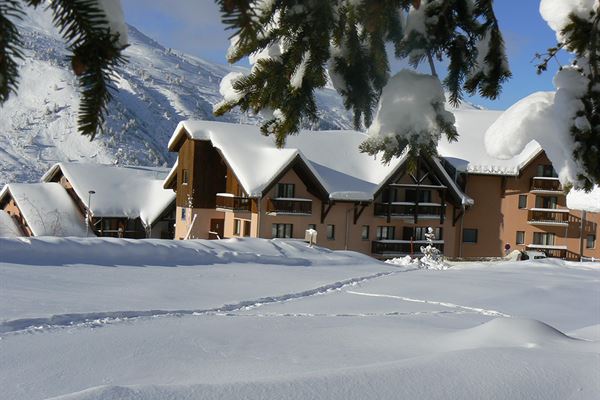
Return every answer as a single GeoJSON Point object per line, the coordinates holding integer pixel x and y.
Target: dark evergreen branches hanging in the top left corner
{"type": "Point", "coordinates": [96, 51]}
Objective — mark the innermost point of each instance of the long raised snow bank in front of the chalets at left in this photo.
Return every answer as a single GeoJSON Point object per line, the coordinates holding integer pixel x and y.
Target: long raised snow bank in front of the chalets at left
{"type": "Point", "coordinates": [133, 252]}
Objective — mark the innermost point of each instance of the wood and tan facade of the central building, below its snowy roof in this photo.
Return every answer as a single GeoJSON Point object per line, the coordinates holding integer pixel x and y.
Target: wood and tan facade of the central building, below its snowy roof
{"type": "Point", "coordinates": [211, 202]}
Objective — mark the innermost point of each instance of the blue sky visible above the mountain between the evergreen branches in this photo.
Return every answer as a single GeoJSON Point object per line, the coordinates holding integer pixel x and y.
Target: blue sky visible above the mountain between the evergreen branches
{"type": "Point", "coordinates": [194, 26]}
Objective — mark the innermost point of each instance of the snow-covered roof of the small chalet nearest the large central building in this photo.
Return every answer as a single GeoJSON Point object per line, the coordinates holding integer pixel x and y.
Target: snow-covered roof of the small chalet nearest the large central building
{"type": "Point", "coordinates": [123, 192]}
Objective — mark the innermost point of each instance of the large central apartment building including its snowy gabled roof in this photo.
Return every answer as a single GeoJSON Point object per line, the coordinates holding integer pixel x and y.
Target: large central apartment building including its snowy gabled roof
{"type": "Point", "coordinates": [231, 181]}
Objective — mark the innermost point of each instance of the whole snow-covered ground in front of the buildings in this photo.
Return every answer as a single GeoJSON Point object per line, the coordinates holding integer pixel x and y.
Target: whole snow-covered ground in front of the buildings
{"type": "Point", "coordinates": [255, 319]}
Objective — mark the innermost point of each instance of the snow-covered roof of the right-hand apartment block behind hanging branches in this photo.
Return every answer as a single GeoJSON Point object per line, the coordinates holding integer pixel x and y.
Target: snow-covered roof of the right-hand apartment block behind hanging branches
{"type": "Point", "coordinates": [469, 153]}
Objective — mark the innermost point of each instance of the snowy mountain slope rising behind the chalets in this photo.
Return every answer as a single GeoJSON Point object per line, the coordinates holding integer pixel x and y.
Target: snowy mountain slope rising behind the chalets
{"type": "Point", "coordinates": [158, 88]}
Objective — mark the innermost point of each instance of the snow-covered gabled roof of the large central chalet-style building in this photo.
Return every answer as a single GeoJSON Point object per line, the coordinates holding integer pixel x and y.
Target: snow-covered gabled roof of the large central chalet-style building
{"type": "Point", "coordinates": [332, 156]}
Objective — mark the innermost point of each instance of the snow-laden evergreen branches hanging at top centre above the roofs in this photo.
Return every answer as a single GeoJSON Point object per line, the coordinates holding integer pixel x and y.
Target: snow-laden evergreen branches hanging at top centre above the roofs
{"type": "Point", "coordinates": [295, 46]}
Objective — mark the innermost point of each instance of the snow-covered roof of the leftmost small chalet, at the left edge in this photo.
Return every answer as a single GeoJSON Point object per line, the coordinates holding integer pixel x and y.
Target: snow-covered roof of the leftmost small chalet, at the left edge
{"type": "Point", "coordinates": [47, 209]}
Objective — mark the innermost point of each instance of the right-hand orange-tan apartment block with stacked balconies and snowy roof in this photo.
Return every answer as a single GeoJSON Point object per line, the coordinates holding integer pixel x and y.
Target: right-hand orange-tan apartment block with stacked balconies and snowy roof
{"type": "Point", "coordinates": [519, 202]}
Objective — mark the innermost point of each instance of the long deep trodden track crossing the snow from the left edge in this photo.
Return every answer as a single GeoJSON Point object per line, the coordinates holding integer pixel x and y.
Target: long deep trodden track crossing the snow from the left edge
{"type": "Point", "coordinates": [98, 319]}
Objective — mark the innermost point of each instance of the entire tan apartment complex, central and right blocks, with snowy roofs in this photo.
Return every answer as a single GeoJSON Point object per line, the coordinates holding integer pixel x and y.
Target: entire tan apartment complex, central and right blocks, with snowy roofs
{"type": "Point", "coordinates": [231, 181]}
